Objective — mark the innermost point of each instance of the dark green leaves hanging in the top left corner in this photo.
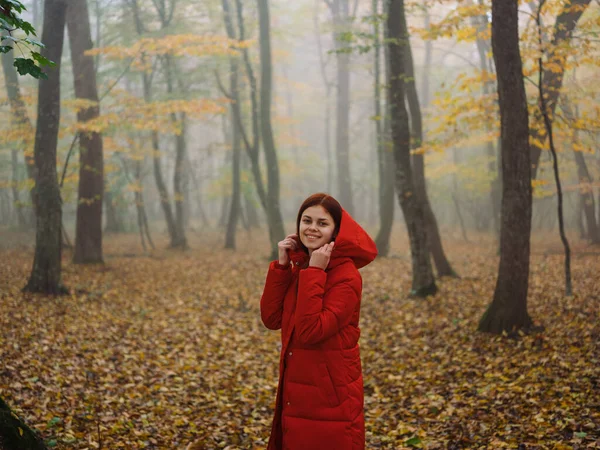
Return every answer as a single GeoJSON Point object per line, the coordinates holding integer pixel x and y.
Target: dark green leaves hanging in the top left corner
{"type": "Point", "coordinates": [10, 21]}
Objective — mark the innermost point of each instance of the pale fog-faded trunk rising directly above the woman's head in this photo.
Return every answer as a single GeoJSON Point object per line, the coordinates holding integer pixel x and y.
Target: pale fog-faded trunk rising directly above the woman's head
{"type": "Point", "coordinates": [340, 13]}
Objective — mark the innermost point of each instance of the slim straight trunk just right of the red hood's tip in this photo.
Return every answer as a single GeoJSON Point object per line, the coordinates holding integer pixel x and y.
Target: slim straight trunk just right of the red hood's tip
{"type": "Point", "coordinates": [385, 154]}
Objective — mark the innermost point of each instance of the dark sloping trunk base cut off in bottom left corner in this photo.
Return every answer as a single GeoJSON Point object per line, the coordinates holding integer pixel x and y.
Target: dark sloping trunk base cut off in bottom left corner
{"type": "Point", "coordinates": [15, 434]}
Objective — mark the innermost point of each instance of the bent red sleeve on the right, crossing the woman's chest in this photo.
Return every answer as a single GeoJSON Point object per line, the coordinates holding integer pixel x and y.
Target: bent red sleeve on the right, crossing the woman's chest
{"type": "Point", "coordinates": [320, 314]}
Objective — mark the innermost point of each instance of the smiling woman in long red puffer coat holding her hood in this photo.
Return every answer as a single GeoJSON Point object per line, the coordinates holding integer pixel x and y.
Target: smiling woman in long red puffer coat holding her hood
{"type": "Point", "coordinates": [313, 294]}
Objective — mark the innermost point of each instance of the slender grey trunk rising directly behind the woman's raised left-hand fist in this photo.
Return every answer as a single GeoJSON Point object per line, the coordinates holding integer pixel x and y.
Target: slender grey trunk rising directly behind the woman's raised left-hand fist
{"type": "Point", "coordinates": [276, 232]}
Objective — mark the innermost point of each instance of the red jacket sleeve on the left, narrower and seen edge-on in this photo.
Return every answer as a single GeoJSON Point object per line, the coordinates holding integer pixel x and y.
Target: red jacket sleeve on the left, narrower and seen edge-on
{"type": "Point", "coordinates": [271, 302]}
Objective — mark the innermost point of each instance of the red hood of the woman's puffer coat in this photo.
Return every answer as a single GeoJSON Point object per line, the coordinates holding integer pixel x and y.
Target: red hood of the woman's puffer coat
{"type": "Point", "coordinates": [352, 242]}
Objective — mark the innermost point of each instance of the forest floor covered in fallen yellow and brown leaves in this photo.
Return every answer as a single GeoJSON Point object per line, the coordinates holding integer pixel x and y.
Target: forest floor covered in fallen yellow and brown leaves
{"type": "Point", "coordinates": [167, 351]}
